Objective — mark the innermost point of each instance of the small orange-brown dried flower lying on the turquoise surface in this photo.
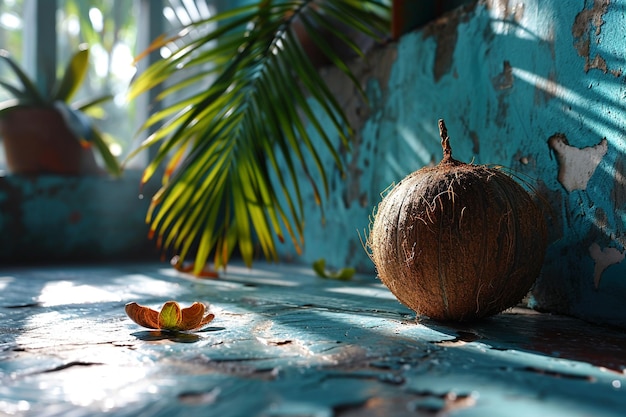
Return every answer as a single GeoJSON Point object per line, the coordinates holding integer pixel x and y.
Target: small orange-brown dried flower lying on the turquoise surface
{"type": "Point", "coordinates": [171, 316]}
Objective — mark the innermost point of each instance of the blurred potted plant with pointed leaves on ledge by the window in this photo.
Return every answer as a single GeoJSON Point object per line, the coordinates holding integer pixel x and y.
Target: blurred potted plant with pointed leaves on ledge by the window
{"type": "Point", "coordinates": [44, 131]}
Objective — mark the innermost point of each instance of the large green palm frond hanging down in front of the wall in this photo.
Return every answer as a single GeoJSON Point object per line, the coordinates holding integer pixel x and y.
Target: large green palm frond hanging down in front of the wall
{"type": "Point", "coordinates": [233, 151]}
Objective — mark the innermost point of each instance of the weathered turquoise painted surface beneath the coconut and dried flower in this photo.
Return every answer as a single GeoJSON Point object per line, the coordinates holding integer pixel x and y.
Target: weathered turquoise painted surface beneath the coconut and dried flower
{"type": "Point", "coordinates": [285, 343]}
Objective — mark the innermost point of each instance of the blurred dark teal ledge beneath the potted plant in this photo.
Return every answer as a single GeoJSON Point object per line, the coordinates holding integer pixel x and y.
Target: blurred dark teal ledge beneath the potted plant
{"type": "Point", "coordinates": [62, 218]}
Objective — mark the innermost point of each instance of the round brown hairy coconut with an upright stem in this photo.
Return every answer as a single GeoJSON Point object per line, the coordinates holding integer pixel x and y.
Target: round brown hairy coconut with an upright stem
{"type": "Point", "coordinates": [457, 241]}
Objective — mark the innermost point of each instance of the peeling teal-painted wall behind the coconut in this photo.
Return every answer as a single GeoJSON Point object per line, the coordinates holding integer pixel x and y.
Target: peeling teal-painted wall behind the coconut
{"type": "Point", "coordinates": [538, 86]}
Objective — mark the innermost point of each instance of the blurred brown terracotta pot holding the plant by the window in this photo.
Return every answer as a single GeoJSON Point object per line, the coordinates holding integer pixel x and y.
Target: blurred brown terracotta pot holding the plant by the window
{"type": "Point", "coordinates": [37, 141]}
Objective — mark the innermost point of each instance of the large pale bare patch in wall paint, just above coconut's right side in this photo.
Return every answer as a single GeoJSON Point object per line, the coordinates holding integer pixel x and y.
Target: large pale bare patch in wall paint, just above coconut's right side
{"type": "Point", "coordinates": [576, 166]}
